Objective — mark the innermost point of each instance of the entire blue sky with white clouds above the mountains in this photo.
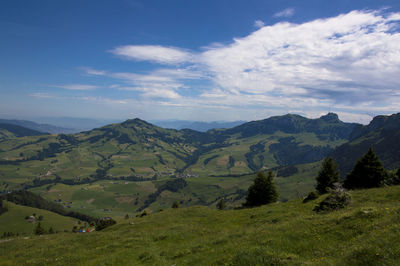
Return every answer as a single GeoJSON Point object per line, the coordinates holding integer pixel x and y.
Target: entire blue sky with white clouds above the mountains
{"type": "Point", "coordinates": [209, 60]}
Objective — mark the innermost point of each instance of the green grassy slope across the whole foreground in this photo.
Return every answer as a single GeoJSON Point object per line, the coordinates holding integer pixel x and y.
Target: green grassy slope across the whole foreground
{"type": "Point", "coordinates": [365, 233]}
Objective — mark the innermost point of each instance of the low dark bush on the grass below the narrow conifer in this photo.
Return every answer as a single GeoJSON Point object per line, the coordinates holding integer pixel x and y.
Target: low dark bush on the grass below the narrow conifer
{"type": "Point", "coordinates": [337, 199]}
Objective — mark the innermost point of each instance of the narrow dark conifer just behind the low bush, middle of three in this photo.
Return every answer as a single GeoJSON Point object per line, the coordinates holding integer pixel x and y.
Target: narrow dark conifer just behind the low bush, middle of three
{"type": "Point", "coordinates": [327, 176]}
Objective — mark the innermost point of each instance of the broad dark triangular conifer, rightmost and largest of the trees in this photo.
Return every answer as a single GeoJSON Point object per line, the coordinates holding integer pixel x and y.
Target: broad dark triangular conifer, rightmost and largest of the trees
{"type": "Point", "coordinates": [367, 173]}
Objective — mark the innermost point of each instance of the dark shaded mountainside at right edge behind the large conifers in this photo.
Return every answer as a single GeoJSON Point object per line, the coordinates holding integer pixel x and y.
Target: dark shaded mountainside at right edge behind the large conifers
{"type": "Point", "coordinates": [382, 134]}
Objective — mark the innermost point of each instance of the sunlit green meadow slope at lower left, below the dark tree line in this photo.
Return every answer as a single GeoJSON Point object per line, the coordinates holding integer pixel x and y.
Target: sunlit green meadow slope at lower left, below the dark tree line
{"type": "Point", "coordinates": [14, 220]}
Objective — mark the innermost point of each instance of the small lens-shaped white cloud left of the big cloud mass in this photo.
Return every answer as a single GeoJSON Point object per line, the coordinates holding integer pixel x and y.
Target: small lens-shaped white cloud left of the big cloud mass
{"type": "Point", "coordinates": [154, 53]}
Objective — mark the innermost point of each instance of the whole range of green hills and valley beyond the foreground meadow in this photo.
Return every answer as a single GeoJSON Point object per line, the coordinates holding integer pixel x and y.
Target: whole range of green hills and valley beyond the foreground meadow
{"type": "Point", "coordinates": [135, 163]}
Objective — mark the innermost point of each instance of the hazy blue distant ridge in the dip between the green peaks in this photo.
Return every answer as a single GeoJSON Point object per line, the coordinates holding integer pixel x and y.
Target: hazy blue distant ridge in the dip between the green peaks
{"type": "Point", "coordinates": [195, 125]}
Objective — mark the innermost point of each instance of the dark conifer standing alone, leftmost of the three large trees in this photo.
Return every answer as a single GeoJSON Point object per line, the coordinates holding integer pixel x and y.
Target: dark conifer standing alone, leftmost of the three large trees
{"type": "Point", "coordinates": [262, 191]}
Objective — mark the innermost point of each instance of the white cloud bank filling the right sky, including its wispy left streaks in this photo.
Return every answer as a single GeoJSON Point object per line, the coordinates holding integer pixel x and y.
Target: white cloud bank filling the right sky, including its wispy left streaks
{"type": "Point", "coordinates": [348, 64]}
